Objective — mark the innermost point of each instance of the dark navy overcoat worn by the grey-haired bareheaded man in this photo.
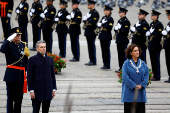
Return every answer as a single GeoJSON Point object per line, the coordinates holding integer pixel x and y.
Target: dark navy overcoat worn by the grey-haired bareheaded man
{"type": "Point", "coordinates": [41, 76]}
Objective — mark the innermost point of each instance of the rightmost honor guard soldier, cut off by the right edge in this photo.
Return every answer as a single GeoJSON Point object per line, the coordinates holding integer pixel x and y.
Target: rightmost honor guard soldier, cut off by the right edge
{"type": "Point", "coordinates": [166, 44]}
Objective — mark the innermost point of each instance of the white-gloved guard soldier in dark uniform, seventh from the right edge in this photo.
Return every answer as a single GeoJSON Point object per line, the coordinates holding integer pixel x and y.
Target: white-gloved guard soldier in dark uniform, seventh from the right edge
{"type": "Point", "coordinates": [75, 30]}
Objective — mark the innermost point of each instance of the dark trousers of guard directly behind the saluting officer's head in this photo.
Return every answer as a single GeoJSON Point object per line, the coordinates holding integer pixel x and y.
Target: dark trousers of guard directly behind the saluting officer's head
{"type": "Point", "coordinates": [24, 36]}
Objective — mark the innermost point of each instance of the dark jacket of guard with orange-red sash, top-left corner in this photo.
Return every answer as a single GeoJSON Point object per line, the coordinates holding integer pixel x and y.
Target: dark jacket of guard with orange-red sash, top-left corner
{"type": "Point", "coordinates": [8, 9]}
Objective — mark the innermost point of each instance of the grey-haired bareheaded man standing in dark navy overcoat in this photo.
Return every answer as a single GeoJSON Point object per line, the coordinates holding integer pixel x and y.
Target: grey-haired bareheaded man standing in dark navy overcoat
{"type": "Point", "coordinates": [41, 79]}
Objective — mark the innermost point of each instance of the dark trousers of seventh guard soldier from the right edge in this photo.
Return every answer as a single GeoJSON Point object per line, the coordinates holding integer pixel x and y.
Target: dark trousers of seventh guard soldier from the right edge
{"type": "Point", "coordinates": [75, 47]}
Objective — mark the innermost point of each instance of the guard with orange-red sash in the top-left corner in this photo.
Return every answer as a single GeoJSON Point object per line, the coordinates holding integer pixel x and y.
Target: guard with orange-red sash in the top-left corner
{"type": "Point", "coordinates": [6, 7]}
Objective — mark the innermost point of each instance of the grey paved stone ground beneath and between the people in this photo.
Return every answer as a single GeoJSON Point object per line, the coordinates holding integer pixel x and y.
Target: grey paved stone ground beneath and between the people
{"type": "Point", "coordinates": [93, 90]}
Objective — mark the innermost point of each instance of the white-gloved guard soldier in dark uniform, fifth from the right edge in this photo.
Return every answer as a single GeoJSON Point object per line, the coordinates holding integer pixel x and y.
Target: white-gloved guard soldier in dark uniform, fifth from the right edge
{"type": "Point", "coordinates": [105, 35]}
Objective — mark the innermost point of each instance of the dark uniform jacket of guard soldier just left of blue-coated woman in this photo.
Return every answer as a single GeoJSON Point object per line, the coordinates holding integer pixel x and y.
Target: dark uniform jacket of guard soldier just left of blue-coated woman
{"type": "Point", "coordinates": [122, 36]}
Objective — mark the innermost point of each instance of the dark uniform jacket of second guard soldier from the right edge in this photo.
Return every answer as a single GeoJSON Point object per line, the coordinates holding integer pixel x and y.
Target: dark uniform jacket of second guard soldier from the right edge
{"type": "Point", "coordinates": [155, 45]}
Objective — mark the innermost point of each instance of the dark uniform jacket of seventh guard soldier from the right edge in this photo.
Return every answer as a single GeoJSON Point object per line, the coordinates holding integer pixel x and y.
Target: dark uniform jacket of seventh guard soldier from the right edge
{"type": "Point", "coordinates": [74, 29]}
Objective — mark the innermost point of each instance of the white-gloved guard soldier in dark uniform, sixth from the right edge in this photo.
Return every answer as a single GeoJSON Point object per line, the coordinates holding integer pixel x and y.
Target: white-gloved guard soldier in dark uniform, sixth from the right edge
{"type": "Point", "coordinates": [90, 24]}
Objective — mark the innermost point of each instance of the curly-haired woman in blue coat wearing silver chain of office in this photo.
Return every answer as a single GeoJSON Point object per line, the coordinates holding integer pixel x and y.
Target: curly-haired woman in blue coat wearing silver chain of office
{"type": "Point", "coordinates": [135, 74]}
